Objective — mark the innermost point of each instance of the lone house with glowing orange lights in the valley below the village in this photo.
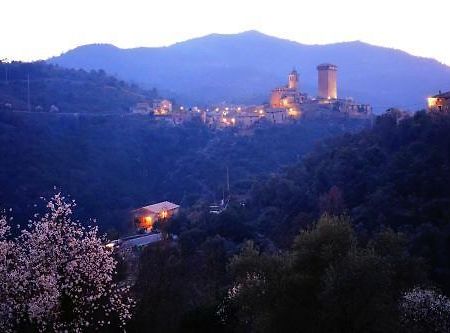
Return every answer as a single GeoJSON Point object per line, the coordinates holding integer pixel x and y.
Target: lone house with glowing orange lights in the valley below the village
{"type": "Point", "coordinates": [145, 217]}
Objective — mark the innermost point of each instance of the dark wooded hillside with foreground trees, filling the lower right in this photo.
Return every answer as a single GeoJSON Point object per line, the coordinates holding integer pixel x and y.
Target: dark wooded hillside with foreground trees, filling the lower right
{"type": "Point", "coordinates": [385, 196]}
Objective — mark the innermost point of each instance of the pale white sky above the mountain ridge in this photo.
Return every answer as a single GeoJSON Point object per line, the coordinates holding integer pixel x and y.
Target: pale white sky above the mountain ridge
{"type": "Point", "coordinates": [38, 29]}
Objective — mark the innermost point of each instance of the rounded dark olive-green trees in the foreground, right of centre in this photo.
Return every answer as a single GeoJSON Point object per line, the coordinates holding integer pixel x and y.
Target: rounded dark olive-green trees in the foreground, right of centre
{"type": "Point", "coordinates": [331, 284]}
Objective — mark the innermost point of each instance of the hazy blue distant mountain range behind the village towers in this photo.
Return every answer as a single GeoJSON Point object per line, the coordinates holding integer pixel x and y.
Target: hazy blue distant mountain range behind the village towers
{"type": "Point", "coordinates": [244, 67]}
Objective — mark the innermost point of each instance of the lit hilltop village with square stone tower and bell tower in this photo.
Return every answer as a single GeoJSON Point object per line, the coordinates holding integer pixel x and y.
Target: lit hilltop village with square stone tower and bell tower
{"type": "Point", "coordinates": [285, 105]}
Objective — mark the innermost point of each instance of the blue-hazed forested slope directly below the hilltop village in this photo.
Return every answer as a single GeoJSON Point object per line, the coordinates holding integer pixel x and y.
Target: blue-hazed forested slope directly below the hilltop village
{"type": "Point", "coordinates": [112, 164]}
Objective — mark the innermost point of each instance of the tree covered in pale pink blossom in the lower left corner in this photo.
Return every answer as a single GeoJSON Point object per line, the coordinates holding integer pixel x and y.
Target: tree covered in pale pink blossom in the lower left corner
{"type": "Point", "coordinates": [58, 275]}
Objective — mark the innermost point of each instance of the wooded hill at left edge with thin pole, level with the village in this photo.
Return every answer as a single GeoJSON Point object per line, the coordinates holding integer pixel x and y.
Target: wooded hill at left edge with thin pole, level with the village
{"type": "Point", "coordinates": [57, 89]}
